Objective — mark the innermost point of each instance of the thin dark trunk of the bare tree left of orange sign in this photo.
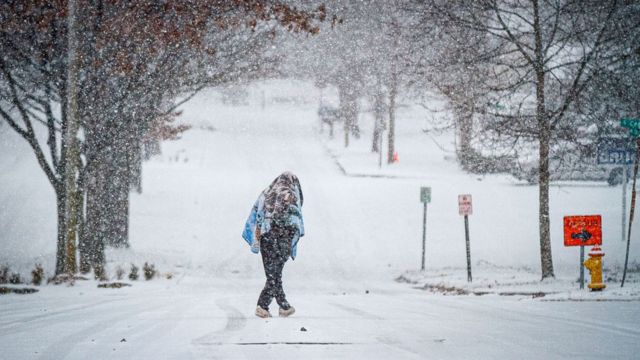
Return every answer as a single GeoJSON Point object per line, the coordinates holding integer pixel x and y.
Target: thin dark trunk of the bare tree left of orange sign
{"type": "Point", "coordinates": [544, 129]}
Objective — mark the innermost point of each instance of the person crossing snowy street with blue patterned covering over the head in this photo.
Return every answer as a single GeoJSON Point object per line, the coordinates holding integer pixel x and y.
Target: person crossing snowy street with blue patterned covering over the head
{"type": "Point", "coordinates": [273, 228]}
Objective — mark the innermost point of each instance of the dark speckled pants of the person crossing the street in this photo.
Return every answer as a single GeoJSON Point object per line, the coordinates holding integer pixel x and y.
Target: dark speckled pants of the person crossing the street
{"type": "Point", "coordinates": [275, 247]}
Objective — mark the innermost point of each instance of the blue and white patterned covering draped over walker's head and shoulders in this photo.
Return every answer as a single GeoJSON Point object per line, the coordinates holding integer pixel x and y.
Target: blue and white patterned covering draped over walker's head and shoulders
{"type": "Point", "coordinates": [280, 203]}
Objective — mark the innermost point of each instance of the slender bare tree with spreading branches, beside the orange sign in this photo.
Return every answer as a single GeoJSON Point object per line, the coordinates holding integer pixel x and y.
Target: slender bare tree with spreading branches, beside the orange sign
{"type": "Point", "coordinates": [543, 55]}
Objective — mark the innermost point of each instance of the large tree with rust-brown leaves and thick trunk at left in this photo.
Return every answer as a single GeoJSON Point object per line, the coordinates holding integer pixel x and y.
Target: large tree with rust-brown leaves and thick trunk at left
{"type": "Point", "coordinates": [135, 60]}
